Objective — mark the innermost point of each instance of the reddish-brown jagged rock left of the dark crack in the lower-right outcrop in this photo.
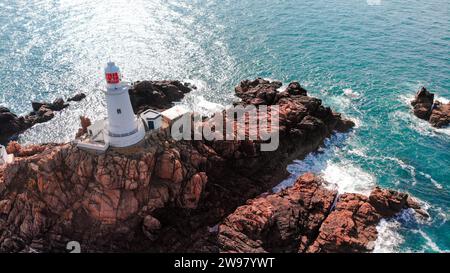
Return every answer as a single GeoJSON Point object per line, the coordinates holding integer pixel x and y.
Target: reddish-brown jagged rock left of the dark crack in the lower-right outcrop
{"type": "Point", "coordinates": [282, 222]}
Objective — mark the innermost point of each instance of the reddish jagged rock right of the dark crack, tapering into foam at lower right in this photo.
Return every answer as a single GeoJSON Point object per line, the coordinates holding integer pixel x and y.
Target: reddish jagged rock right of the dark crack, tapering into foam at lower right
{"type": "Point", "coordinates": [351, 226]}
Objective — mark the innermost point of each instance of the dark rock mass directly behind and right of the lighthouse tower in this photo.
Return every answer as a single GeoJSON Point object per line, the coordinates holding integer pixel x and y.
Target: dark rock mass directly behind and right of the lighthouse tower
{"type": "Point", "coordinates": [157, 94]}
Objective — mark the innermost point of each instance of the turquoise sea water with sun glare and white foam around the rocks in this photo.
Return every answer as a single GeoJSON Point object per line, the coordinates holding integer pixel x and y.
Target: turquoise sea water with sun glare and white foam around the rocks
{"type": "Point", "coordinates": [365, 58]}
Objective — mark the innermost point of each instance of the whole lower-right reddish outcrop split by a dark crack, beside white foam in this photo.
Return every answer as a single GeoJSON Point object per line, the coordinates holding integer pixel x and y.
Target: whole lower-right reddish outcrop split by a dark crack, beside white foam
{"type": "Point", "coordinates": [308, 217]}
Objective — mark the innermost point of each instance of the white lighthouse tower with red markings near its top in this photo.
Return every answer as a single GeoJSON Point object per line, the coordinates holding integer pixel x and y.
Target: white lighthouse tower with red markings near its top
{"type": "Point", "coordinates": [123, 127]}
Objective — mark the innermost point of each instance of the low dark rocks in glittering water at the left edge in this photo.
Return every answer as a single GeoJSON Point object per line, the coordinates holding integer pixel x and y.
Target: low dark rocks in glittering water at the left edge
{"type": "Point", "coordinates": [11, 125]}
